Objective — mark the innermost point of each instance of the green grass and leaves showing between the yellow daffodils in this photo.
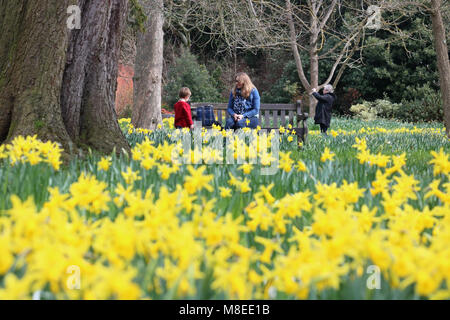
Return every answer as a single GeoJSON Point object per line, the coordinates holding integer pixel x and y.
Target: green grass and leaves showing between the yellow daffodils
{"type": "Point", "coordinates": [33, 181]}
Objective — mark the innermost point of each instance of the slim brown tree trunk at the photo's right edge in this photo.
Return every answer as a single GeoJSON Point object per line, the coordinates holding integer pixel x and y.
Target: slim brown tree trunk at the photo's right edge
{"type": "Point", "coordinates": [442, 59]}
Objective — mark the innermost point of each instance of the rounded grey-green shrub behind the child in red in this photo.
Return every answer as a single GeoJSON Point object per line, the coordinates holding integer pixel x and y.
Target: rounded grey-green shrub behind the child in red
{"type": "Point", "coordinates": [187, 72]}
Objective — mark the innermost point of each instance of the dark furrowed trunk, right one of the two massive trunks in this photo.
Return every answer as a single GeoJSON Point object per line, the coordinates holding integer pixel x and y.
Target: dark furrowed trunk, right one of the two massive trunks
{"type": "Point", "coordinates": [90, 79]}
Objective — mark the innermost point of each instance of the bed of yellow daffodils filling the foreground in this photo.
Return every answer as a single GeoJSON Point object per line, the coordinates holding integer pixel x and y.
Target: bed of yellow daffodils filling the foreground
{"type": "Point", "coordinates": [144, 226]}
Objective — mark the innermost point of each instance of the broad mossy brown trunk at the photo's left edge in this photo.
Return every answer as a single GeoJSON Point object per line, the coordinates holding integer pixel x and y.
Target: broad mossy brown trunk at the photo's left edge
{"type": "Point", "coordinates": [32, 57]}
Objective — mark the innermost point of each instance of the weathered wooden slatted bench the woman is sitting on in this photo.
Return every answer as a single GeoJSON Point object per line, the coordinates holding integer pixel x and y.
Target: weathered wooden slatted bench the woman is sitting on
{"type": "Point", "coordinates": [271, 116]}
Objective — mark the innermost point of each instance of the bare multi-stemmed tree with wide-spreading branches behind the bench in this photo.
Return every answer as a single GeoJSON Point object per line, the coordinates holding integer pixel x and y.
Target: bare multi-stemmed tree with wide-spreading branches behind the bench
{"type": "Point", "coordinates": [329, 32]}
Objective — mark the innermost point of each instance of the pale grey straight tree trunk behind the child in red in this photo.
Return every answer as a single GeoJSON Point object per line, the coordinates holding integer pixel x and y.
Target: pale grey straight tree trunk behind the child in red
{"type": "Point", "coordinates": [148, 68]}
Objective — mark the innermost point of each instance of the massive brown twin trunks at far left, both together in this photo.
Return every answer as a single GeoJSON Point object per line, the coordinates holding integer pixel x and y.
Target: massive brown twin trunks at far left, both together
{"type": "Point", "coordinates": [60, 84]}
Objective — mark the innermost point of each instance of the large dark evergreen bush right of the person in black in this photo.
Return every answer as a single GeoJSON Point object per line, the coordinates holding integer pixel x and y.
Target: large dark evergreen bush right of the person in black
{"type": "Point", "coordinates": [402, 69]}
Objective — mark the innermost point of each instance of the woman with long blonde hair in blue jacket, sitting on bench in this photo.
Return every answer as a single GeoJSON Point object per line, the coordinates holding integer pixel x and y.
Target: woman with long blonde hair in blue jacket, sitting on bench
{"type": "Point", "coordinates": [244, 104]}
